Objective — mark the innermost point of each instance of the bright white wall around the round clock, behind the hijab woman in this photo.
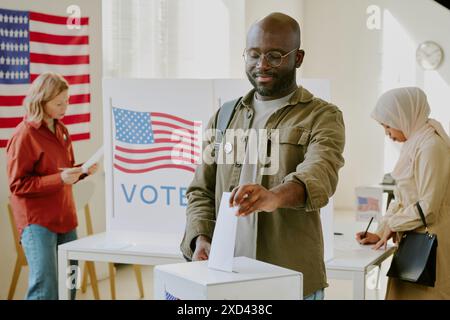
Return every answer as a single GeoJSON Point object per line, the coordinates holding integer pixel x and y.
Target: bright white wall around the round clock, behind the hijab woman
{"type": "Point", "coordinates": [401, 25]}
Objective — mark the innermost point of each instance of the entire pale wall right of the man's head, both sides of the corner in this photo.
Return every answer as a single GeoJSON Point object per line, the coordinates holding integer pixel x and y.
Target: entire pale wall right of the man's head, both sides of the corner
{"type": "Point", "coordinates": [339, 46]}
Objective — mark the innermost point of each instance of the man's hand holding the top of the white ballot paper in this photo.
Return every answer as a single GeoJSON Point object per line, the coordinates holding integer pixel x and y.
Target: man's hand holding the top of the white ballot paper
{"type": "Point", "coordinates": [253, 197]}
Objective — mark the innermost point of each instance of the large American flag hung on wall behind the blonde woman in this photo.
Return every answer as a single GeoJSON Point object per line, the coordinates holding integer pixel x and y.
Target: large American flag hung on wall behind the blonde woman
{"type": "Point", "coordinates": [32, 43]}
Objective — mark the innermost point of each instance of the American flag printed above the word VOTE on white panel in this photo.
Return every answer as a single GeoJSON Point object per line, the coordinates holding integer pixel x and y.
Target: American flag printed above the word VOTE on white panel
{"type": "Point", "coordinates": [148, 141]}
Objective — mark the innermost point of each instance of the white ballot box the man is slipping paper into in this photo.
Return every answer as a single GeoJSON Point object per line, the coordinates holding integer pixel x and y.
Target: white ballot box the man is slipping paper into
{"type": "Point", "coordinates": [251, 279]}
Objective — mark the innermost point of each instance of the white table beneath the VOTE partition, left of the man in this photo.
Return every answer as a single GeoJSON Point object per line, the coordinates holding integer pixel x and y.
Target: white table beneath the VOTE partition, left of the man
{"type": "Point", "coordinates": [118, 247]}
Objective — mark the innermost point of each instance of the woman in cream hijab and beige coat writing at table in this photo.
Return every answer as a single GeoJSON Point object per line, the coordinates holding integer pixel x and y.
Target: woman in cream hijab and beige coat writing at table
{"type": "Point", "coordinates": [422, 174]}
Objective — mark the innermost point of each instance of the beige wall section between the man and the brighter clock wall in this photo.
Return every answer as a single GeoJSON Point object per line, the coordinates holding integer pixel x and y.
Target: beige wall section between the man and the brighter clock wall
{"type": "Point", "coordinates": [339, 47]}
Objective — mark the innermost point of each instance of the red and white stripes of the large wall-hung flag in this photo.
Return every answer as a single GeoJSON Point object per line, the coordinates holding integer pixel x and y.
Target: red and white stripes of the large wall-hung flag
{"type": "Point", "coordinates": [55, 48]}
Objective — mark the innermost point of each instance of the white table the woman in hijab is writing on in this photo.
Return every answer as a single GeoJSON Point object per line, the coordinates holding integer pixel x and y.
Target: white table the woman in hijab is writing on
{"type": "Point", "coordinates": [353, 262]}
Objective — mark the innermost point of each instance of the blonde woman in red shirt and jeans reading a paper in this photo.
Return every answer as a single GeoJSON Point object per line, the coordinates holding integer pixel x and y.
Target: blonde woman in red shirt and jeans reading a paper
{"type": "Point", "coordinates": [41, 170]}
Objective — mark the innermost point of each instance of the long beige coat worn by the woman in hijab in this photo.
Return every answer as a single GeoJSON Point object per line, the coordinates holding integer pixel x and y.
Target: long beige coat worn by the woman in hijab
{"type": "Point", "coordinates": [430, 184]}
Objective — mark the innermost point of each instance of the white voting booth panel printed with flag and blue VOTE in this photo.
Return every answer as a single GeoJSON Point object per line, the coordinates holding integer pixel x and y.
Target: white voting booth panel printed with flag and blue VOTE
{"type": "Point", "coordinates": [145, 186]}
